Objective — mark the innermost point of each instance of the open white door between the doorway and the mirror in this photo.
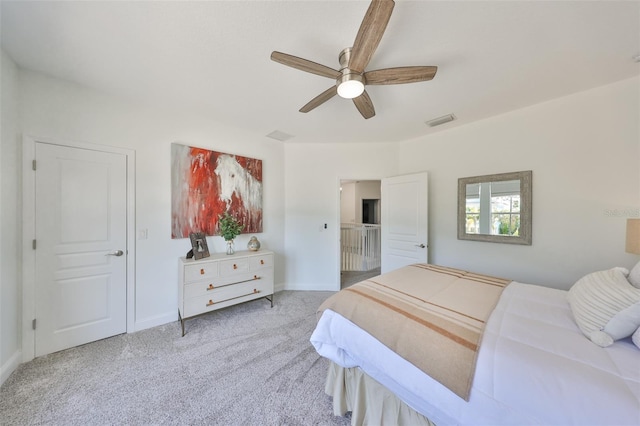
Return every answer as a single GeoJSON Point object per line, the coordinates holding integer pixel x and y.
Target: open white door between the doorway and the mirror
{"type": "Point", "coordinates": [404, 221]}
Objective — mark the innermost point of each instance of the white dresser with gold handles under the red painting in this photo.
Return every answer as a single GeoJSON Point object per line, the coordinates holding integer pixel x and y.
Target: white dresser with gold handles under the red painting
{"type": "Point", "coordinates": [223, 280]}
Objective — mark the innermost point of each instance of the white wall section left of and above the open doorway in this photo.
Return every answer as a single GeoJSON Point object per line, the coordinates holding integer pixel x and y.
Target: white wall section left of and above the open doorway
{"type": "Point", "coordinates": [312, 199]}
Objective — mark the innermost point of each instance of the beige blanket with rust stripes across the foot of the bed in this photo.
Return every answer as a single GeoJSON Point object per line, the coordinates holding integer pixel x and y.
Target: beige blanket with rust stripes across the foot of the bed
{"type": "Point", "coordinates": [432, 316]}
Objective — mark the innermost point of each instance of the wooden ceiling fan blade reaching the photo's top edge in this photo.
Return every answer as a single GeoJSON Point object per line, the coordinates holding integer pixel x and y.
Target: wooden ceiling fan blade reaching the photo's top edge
{"type": "Point", "coordinates": [370, 33]}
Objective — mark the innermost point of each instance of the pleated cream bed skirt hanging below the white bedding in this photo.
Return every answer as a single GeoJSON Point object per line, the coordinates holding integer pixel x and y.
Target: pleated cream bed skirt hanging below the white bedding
{"type": "Point", "coordinates": [370, 403]}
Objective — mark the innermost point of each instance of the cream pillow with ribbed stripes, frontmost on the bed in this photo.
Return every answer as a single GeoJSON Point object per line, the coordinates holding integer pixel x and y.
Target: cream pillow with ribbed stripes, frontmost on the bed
{"type": "Point", "coordinates": [605, 306]}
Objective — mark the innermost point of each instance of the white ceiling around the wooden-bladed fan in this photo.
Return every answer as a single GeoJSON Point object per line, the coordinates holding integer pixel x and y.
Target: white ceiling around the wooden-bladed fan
{"type": "Point", "coordinates": [492, 57]}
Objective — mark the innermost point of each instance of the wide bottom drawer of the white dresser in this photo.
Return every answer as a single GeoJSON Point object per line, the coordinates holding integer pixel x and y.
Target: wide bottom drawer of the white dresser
{"type": "Point", "coordinates": [226, 296]}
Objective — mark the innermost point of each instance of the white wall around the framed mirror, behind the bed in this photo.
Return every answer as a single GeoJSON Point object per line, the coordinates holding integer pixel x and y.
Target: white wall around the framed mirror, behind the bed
{"type": "Point", "coordinates": [584, 153]}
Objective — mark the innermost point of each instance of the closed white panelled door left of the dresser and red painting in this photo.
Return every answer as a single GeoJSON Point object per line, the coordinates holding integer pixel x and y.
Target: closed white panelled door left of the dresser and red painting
{"type": "Point", "coordinates": [81, 250]}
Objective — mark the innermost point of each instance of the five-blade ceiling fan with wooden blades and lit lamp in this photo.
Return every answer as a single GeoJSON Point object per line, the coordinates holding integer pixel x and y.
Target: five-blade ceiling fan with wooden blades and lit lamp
{"type": "Point", "coordinates": [352, 77]}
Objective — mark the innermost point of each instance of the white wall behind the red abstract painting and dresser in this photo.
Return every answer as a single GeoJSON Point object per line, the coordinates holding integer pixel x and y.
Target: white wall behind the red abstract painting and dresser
{"type": "Point", "coordinates": [62, 111]}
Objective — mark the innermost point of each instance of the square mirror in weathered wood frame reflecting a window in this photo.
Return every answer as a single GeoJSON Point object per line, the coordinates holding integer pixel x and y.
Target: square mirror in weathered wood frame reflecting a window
{"type": "Point", "coordinates": [495, 208]}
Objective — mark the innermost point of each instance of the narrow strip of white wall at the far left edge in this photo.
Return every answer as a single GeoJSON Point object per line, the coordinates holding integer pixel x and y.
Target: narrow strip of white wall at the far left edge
{"type": "Point", "coordinates": [10, 300]}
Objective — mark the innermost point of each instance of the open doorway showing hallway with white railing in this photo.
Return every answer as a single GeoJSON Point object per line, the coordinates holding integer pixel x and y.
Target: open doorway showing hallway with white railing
{"type": "Point", "coordinates": [360, 230]}
